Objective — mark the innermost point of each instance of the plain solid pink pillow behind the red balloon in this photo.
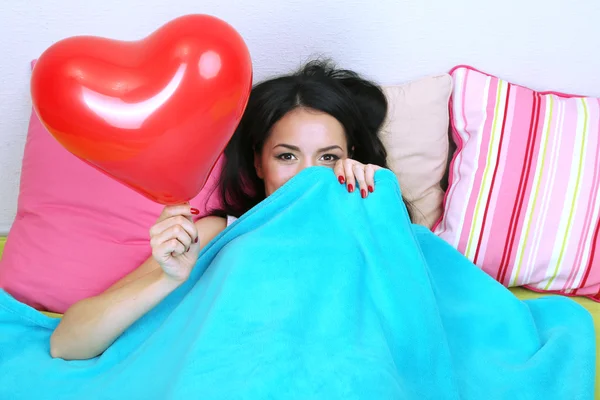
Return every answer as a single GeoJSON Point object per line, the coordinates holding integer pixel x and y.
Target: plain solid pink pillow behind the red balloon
{"type": "Point", "coordinates": [77, 231]}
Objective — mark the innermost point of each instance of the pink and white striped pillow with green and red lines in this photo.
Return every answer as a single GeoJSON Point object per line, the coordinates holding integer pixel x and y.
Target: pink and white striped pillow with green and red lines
{"type": "Point", "coordinates": [523, 200]}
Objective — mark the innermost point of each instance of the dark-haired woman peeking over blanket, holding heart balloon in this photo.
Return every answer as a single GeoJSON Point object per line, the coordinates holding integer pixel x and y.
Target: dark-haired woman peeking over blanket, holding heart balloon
{"type": "Point", "coordinates": [319, 116]}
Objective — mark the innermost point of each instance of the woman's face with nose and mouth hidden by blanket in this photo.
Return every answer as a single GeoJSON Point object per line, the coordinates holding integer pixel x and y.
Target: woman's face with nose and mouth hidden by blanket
{"type": "Point", "coordinates": [302, 138]}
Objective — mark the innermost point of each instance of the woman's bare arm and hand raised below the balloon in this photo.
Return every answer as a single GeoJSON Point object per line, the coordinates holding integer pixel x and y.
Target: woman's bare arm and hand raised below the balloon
{"type": "Point", "coordinates": [90, 326]}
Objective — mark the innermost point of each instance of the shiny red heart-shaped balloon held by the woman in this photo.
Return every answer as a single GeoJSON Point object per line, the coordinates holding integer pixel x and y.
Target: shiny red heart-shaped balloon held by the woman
{"type": "Point", "coordinates": [156, 113]}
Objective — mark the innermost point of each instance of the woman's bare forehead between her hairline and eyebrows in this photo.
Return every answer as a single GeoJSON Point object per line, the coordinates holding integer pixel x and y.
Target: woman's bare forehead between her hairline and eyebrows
{"type": "Point", "coordinates": [306, 127]}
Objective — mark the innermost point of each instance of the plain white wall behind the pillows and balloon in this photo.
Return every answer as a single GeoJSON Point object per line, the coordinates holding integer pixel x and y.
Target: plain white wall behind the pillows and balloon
{"type": "Point", "coordinates": [545, 44]}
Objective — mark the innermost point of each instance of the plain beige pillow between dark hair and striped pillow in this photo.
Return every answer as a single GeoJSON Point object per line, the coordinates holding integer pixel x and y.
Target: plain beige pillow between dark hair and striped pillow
{"type": "Point", "coordinates": [415, 135]}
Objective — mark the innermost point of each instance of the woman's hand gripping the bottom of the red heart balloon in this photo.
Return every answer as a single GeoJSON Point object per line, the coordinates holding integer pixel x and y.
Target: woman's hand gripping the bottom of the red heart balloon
{"type": "Point", "coordinates": [174, 240]}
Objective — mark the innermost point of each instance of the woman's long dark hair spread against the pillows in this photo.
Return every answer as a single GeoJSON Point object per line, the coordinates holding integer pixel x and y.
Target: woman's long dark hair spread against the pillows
{"type": "Point", "coordinates": [359, 105]}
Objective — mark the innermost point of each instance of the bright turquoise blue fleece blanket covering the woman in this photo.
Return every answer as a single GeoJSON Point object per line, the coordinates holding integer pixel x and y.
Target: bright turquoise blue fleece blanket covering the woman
{"type": "Point", "coordinates": [318, 294]}
